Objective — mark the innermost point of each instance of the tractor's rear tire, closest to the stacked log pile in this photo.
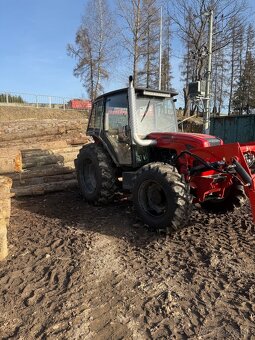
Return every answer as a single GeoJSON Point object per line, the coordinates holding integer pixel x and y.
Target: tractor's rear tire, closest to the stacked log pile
{"type": "Point", "coordinates": [96, 174]}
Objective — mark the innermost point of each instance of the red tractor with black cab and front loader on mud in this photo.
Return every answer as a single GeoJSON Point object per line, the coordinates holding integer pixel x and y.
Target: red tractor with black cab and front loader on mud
{"type": "Point", "coordinates": [137, 147]}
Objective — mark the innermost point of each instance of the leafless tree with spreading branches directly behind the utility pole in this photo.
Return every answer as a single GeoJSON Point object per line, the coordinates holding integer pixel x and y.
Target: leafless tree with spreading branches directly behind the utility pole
{"type": "Point", "coordinates": [191, 19]}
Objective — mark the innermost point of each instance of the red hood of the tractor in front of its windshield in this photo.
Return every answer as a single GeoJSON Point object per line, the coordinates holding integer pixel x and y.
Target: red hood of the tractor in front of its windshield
{"type": "Point", "coordinates": [187, 141]}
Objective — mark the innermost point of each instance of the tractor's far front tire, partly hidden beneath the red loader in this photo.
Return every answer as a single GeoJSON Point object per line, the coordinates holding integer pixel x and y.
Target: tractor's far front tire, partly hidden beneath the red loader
{"type": "Point", "coordinates": [235, 198]}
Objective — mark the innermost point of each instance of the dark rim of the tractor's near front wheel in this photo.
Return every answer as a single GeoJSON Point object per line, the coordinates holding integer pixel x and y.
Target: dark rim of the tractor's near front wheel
{"type": "Point", "coordinates": [152, 198]}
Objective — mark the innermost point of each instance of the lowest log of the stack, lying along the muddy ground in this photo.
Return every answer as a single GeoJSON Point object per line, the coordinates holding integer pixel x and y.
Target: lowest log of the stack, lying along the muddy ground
{"type": "Point", "coordinates": [42, 189]}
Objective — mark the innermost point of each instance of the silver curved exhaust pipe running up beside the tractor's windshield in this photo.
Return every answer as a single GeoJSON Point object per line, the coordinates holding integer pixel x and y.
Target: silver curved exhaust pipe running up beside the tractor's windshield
{"type": "Point", "coordinates": [133, 119]}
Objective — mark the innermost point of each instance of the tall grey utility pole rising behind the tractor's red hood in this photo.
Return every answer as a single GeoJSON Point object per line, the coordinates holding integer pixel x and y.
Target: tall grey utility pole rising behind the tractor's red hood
{"type": "Point", "coordinates": [206, 123]}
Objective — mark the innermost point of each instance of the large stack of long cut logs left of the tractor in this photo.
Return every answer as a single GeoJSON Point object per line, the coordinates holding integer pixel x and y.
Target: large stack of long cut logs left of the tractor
{"type": "Point", "coordinates": [39, 155]}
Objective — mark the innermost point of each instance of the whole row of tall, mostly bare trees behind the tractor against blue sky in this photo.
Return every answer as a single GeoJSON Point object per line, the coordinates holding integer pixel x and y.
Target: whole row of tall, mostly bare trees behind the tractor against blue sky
{"type": "Point", "coordinates": [123, 37]}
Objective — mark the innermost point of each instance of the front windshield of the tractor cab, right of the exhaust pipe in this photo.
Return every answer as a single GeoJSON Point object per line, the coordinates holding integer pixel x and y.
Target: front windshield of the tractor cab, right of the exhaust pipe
{"type": "Point", "coordinates": [154, 114]}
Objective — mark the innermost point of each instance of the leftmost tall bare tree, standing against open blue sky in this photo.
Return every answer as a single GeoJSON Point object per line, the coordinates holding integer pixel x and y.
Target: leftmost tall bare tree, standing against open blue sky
{"type": "Point", "coordinates": [93, 47]}
